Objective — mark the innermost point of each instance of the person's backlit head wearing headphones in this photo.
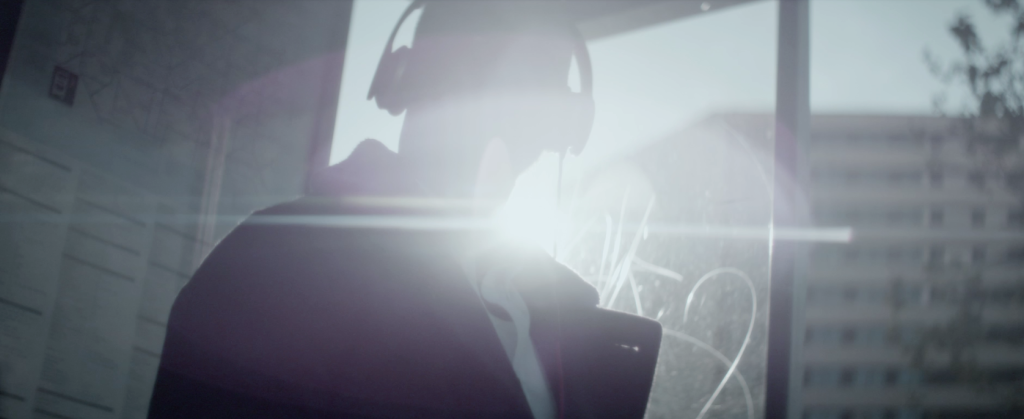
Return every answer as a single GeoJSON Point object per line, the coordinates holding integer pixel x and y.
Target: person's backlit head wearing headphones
{"type": "Point", "coordinates": [481, 71]}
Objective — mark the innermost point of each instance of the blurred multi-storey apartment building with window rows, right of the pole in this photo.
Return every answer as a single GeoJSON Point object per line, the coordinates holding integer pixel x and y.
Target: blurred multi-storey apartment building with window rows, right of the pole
{"type": "Point", "coordinates": [922, 315]}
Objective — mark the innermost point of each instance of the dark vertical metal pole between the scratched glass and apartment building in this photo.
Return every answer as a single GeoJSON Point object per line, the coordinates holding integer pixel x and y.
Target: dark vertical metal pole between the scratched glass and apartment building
{"type": "Point", "coordinates": [792, 123]}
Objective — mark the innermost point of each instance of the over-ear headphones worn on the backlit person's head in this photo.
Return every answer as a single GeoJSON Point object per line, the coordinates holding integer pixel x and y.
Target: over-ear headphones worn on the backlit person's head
{"type": "Point", "coordinates": [389, 82]}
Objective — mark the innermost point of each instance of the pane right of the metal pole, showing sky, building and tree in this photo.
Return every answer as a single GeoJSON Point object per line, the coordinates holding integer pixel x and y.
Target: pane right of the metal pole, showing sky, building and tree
{"type": "Point", "coordinates": [914, 144]}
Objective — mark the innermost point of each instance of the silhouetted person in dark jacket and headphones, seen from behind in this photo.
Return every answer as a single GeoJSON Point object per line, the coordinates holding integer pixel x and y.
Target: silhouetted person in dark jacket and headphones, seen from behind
{"type": "Point", "coordinates": [382, 295]}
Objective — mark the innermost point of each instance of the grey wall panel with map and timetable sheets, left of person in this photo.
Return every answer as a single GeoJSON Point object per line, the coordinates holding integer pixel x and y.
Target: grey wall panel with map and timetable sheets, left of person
{"type": "Point", "coordinates": [187, 117]}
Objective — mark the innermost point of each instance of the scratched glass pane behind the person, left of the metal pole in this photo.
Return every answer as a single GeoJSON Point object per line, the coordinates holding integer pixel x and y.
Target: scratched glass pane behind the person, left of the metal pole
{"type": "Point", "coordinates": [666, 212]}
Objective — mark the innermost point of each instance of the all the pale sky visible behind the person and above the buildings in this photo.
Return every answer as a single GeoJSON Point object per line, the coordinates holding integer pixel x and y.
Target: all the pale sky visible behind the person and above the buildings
{"type": "Point", "coordinates": [867, 57]}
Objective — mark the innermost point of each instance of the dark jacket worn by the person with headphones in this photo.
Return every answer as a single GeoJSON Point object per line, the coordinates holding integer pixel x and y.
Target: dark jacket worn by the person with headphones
{"type": "Point", "coordinates": [352, 303]}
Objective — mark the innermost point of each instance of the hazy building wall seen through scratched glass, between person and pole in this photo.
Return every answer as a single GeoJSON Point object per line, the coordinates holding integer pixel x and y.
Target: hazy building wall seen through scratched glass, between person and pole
{"type": "Point", "coordinates": [678, 233]}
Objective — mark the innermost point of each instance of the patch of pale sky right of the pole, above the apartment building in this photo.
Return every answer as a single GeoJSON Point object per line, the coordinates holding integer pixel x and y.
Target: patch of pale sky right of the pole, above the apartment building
{"type": "Point", "coordinates": [868, 57]}
